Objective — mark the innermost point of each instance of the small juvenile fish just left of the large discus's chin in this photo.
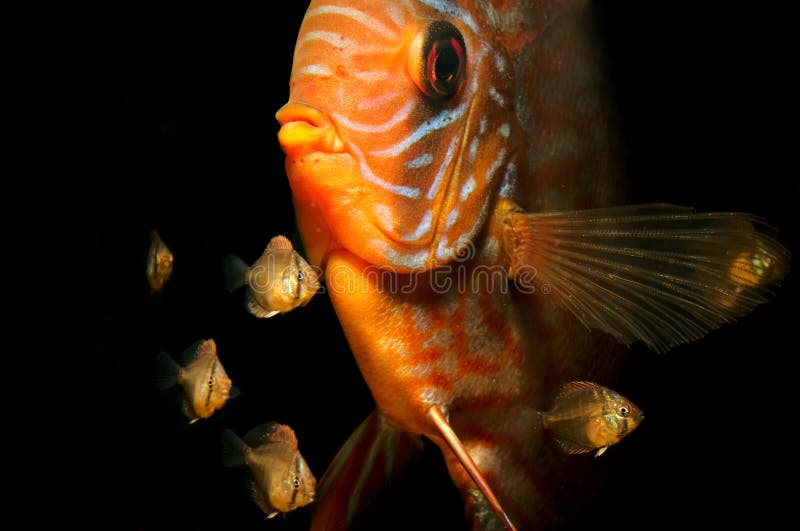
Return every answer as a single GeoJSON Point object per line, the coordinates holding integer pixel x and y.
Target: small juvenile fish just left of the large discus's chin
{"type": "Point", "coordinates": [279, 281]}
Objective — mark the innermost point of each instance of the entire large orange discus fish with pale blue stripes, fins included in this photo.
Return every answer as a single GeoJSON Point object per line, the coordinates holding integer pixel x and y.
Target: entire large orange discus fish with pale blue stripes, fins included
{"type": "Point", "coordinates": [454, 170]}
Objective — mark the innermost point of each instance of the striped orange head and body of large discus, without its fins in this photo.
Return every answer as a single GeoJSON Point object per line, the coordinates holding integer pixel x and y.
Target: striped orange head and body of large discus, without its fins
{"type": "Point", "coordinates": [413, 128]}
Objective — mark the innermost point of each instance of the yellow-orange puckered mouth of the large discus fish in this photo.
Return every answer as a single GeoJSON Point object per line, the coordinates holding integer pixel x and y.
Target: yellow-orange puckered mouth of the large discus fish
{"type": "Point", "coordinates": [306, 129]}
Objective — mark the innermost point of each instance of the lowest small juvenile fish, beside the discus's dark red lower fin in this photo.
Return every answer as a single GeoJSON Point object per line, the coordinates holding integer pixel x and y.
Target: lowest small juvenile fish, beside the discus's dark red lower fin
{"type": "Point", "coordinates": [281, 479]}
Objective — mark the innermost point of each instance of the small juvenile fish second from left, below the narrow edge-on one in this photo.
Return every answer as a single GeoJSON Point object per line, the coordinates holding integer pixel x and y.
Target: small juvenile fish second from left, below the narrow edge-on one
{"type": "Point", "coordinates": [205, 383]}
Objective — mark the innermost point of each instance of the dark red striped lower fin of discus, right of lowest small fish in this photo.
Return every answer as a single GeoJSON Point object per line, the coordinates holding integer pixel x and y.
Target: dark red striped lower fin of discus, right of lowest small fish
{"type": "Point", "coordinates": [374, 455]}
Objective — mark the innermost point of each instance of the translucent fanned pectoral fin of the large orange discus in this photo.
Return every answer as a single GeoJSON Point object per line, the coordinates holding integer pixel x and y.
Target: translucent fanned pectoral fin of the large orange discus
{"type": "Point", "coordinates": [659, 273]}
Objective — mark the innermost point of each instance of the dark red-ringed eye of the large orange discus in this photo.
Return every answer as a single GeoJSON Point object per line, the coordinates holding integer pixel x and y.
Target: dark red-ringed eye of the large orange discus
{"type": "Point", "coordinates": [437, 60]}
